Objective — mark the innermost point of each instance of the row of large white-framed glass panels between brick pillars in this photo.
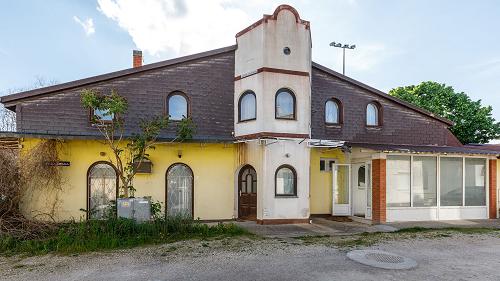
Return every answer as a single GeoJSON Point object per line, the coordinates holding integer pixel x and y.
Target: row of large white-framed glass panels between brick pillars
{"type": "Point", "coordinates": [412, 181]}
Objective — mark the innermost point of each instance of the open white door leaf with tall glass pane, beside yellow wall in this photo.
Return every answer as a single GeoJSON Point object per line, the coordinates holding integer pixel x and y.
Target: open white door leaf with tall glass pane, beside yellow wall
{"type": "Point", "coordinates": [341, 179]}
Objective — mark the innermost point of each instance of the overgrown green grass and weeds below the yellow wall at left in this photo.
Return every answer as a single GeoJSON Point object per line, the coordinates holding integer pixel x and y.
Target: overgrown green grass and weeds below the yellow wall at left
{"type": "Point", "coordinates": [88, 236]}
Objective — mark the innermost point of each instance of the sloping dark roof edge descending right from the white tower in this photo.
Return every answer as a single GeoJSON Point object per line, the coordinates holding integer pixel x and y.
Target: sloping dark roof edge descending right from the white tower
{"type": "Point", "coordinates": [380, 93]}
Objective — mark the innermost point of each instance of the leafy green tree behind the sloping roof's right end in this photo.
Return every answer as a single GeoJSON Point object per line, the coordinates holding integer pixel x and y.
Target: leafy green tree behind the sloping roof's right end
{"type": "Point", "coordinates": [473, 122]}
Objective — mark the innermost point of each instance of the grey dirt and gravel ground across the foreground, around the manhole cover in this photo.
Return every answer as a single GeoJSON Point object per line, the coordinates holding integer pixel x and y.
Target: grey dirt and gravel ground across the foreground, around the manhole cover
{"type": "Point", "coordinates": [448, 256]}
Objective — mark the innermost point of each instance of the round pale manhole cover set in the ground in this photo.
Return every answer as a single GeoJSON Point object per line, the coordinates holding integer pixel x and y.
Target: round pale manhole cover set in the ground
{"type": "Point", "coordinates": [381, 259]}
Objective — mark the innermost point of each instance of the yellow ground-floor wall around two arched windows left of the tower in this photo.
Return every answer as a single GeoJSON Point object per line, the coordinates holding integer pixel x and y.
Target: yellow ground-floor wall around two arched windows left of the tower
{"type": "Point", "coordinates": [213, 167]}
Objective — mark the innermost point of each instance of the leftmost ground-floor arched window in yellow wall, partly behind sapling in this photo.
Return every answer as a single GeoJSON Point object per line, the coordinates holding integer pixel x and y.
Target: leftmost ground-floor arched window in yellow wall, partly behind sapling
{"type": "Point", "coordinates": [102, 190]}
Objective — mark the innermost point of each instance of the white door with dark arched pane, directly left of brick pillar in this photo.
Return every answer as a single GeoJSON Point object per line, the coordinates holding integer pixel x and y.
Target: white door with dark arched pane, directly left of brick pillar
{"type": "Point", "coordinates": [359, 189]}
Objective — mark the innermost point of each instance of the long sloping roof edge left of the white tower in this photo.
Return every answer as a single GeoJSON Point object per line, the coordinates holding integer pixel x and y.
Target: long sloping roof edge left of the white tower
{"type": "Point", "coordinates": [113, 75]}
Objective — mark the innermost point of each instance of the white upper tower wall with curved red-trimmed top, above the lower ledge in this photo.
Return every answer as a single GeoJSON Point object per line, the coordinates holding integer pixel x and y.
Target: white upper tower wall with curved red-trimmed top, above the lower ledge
{"type": "Point", "coordinates": [263, 47]}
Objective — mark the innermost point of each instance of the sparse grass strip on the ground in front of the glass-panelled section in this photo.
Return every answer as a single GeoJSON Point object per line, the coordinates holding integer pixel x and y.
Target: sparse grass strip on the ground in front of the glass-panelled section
{"type": "Point", "coordinates": [368, 239]}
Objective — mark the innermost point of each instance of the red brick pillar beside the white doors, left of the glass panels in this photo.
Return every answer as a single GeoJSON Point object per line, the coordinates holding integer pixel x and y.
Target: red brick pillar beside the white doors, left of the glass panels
{"type": "Point", "coordinates": [378, 191]}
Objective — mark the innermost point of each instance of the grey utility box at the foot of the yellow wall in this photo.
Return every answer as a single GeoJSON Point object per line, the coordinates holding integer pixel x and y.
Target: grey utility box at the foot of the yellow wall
{"type": "Point", "coordinates": [138, 209]}
